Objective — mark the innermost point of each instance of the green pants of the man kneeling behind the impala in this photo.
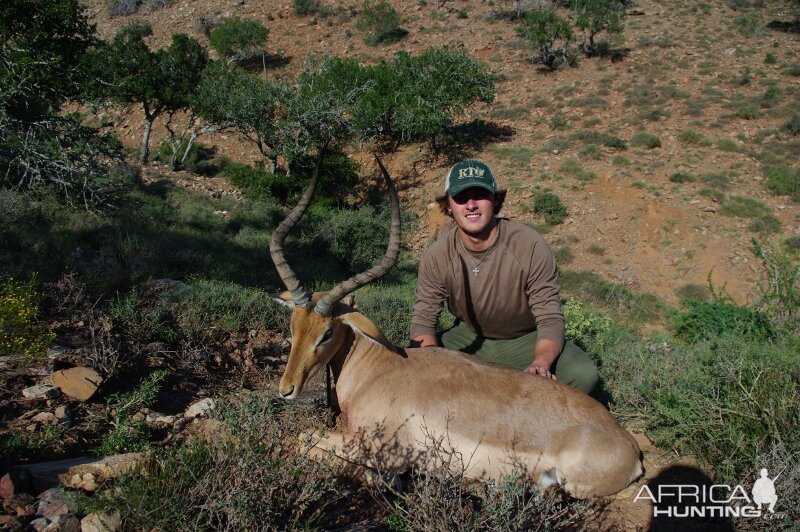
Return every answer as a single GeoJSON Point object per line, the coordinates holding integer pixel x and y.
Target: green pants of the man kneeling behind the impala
{"type": "Point", "coordinates": [573, 366]}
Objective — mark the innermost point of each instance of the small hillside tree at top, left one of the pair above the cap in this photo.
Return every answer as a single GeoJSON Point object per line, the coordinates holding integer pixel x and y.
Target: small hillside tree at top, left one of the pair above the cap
{"type": "Point", "coordinates": [550, 37]}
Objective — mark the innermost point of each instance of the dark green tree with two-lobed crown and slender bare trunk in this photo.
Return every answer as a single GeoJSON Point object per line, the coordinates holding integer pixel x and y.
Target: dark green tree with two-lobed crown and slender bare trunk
{"type": "Point", "coordinates": [158, 80]}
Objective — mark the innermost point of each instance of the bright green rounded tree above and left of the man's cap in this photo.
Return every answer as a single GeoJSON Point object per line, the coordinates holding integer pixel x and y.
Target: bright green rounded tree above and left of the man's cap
{"type": "Point", "coordinates": [434, 88]}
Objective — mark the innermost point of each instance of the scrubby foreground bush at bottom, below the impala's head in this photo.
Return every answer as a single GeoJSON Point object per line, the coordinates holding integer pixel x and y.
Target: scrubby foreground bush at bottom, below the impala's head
{"type": "Point", "coordinates": [248, 478]}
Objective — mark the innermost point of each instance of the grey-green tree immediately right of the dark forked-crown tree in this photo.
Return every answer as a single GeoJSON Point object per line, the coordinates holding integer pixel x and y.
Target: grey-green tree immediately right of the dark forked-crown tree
{"type": "Point", "coordinates": [239, 101]}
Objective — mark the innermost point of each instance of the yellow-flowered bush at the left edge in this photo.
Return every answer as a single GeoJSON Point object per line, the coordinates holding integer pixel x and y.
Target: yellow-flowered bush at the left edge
{"type": "Point", "coordinates": [22, 336]}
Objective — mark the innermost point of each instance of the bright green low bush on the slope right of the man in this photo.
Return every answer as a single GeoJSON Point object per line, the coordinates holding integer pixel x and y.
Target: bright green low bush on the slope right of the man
{"type": "Point", "coordinates": [704, 320]}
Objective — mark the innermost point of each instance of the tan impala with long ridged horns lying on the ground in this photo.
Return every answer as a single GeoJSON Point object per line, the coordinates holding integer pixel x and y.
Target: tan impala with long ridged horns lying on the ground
{"type": "Point", "coordinates": [404, 399]}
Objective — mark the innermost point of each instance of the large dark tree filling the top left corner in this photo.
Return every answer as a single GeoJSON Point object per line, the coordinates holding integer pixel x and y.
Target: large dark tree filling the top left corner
{"type": "Point", "coordinates": [42, 48]}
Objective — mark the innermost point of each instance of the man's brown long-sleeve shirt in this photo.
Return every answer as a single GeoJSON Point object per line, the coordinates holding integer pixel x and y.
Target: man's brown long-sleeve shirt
{"type": "Point", "coordinates": [515, 292]}
